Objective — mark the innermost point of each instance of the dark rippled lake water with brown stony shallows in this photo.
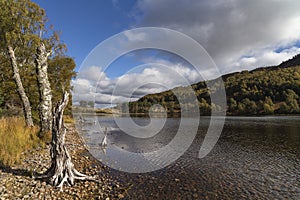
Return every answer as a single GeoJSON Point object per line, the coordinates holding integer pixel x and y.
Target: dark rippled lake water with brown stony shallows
{"type": "Point", "coordinates": [254, 158]}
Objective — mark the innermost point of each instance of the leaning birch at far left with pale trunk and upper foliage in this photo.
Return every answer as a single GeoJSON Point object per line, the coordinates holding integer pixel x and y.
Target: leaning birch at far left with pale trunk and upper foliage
{"type": "Point", "coordinates": [19, 24]}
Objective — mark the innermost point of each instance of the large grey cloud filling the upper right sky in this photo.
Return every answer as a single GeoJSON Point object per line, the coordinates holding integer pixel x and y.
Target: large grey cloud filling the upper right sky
{"type": "Point", "coordinates": [230, 30]}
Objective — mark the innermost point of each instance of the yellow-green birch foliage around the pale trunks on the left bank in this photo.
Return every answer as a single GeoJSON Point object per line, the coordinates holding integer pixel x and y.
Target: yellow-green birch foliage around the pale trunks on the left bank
{"type": "Point", "coordinates": [24, 28]}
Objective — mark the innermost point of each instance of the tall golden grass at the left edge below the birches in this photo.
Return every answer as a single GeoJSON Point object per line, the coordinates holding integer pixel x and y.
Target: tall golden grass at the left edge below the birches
{"type": "Point", "coordinates": [15, 138]}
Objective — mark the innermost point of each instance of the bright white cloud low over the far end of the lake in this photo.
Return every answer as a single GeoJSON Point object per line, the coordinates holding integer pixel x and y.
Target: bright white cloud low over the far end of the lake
{"type": "Point", "coordinates": [152, 78]}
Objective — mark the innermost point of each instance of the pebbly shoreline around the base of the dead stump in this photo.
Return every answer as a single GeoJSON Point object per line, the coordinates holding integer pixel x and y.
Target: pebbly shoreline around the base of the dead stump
{"type": "Point", "coordinates": [18, 182]}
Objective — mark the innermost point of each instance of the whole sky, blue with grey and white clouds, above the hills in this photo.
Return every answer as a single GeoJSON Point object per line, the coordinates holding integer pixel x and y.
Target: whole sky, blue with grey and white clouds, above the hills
{"type": "Point", "coordinates": [237, 35]}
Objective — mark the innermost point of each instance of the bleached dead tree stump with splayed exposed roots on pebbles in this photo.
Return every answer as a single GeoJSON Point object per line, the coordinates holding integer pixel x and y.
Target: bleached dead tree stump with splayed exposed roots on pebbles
{"type": "Point", "coordinates": [62, 169]}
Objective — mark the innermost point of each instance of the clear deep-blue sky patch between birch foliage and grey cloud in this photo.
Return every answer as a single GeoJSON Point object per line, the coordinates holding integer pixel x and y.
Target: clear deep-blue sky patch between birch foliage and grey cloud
{"type": "Point", "coordinates": [84, 24]}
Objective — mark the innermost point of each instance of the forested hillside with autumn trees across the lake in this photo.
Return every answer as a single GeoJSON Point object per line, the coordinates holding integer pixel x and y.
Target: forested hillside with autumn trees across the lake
{"type": "Point", "coordinates": [263, 91]}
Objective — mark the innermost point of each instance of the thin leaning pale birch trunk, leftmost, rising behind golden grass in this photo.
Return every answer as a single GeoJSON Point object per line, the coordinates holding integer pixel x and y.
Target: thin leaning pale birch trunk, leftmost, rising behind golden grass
{"type": "Point", "coordinates": [20, 88]}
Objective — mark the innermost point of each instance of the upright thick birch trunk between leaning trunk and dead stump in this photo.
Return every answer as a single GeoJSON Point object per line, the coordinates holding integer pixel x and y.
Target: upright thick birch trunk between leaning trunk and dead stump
{"type": "Point", "coordinates": [45, 107]}
